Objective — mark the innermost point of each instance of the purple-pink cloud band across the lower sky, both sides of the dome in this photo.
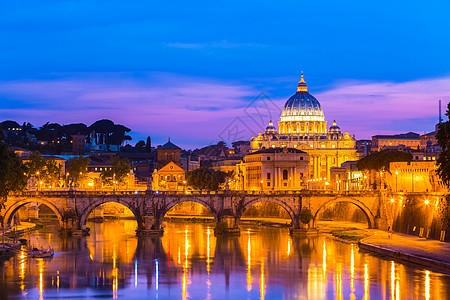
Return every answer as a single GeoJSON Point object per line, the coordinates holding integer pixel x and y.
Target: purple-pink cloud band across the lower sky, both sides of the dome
{"type": "Point", "coordinates": [197, 111]}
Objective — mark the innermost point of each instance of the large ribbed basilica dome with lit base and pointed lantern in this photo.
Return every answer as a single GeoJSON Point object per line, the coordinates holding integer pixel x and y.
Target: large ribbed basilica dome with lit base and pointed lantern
{"type": "Point", "coordinates": [302, 106]}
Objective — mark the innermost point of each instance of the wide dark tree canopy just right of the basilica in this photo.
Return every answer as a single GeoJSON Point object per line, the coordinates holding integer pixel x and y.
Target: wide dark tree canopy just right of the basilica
{"type": "Point", "coordinates": [380, 160]}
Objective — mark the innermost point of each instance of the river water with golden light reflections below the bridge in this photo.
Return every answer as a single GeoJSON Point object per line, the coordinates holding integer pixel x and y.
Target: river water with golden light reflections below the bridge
{"type": "Point", "coordinates": [189, 262]}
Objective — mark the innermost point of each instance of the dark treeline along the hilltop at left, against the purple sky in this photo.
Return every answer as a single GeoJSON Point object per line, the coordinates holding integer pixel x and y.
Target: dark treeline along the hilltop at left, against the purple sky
{"type": "Point", "coordinates": [56, 138]}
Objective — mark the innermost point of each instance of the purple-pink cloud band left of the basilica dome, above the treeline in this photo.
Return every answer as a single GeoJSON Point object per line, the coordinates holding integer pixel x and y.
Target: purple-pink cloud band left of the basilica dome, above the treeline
{"type": "Point", "coordinates": [170, 105]}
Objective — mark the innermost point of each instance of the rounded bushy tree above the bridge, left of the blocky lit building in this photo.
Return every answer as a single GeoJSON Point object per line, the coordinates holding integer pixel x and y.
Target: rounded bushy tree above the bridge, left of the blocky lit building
{"type": "Point", "coordinates": [206, 179]}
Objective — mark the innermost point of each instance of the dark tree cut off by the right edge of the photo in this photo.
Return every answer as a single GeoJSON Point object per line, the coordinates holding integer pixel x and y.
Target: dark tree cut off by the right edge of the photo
{"type": "Point", "coordinates": [443, 139]}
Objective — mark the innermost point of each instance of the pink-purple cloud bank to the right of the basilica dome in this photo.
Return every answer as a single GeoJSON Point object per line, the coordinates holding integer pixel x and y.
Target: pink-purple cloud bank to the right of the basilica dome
{"type": "Point", "coordinates": [369, 108]}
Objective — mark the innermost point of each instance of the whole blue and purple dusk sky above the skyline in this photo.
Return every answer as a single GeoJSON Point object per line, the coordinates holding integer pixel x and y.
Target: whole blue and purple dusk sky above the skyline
{"type": "Point", "coordinates": [203, 71]}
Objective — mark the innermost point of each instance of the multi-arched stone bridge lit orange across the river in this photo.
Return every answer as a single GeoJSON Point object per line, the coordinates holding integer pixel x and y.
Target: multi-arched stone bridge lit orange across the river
{"type": "Point", "coordinates": [74, 207]}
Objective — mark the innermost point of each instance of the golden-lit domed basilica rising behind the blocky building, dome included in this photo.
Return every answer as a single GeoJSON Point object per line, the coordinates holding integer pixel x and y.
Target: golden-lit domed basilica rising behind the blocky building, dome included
{"type": "Point", "coordinates": [303, 127]}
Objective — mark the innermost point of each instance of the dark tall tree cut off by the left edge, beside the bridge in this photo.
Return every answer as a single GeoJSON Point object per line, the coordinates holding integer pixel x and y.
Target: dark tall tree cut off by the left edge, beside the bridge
{"type": "Point", "coordinates": [12, 171]}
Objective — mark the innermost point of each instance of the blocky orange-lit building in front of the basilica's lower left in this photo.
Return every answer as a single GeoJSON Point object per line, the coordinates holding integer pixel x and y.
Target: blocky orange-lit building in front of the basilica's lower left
{"type": "Point", "coordinates": [273, 169]}
